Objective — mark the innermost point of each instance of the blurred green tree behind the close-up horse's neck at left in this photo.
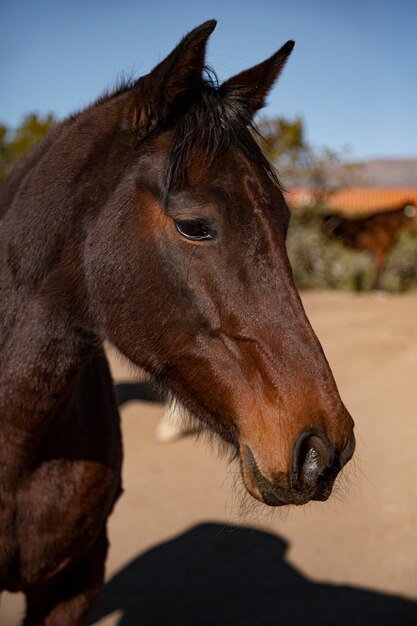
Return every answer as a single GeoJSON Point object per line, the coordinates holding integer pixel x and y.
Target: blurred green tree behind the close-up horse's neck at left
{"type": "Point", "coordinates": [14, 144]}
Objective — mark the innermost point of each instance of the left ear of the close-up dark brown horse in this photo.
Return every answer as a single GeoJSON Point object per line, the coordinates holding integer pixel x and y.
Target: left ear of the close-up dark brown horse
{"type": "Point", "coordinates": [177, 77]}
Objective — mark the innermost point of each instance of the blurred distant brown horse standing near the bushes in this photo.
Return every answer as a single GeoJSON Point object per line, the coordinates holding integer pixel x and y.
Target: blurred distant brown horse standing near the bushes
{"type": "Point", "coordinates": [375, 234]}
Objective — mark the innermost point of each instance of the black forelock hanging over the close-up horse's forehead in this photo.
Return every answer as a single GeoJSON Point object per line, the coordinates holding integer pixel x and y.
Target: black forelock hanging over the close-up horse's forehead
{"type": "Point", "coordinates": [212, 122]}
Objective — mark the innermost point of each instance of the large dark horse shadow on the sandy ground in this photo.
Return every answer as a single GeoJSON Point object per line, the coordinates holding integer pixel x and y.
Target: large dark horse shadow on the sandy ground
{"type": "Point", "coordinates": [219, 575]}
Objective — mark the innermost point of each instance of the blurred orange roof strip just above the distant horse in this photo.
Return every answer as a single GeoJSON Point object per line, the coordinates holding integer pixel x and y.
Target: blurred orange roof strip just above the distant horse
{"type": "Point", "coordinates": [355, 200]}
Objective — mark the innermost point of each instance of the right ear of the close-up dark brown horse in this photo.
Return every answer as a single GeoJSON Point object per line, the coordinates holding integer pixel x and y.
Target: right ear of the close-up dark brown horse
{"type": "Point", "coordinates": [255, 83]}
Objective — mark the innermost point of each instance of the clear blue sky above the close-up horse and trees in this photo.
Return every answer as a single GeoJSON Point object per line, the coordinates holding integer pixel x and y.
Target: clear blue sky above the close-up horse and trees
{"type": "Point", "coordinates": [352, 76]}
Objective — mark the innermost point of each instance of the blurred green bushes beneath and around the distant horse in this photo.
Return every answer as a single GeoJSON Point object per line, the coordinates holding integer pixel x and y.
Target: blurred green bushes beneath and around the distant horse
{"type": "Point", "coordinates": [319, 261]}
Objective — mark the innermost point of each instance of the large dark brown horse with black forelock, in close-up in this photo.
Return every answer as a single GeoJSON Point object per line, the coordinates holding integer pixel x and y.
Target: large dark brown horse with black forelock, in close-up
{"type": "Point", "coordinates": [151, 219]}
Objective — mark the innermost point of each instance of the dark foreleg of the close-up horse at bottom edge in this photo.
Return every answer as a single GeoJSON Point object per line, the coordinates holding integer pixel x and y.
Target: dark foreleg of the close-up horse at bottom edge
{"type": "Point", "coordinates": [67, 599]}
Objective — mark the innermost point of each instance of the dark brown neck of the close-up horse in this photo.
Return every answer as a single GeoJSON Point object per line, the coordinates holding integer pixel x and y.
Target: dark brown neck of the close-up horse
{"type": "Point", "coordinates": [45, 336]}
